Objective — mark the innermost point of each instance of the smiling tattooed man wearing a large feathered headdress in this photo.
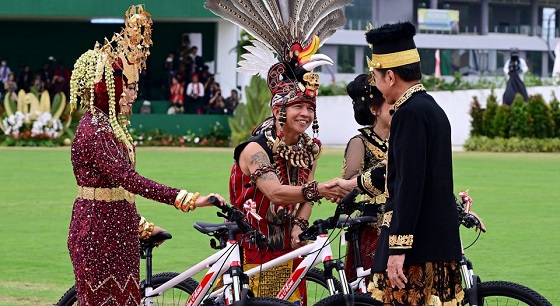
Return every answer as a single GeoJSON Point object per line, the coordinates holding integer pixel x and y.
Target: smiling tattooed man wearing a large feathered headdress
{"type": "Point", "coordinates": [274, 170]}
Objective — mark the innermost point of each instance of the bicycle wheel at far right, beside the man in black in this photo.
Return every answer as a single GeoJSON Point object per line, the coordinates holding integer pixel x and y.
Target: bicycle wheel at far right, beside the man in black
{"type": "Point", "coordinates": [498, 293]}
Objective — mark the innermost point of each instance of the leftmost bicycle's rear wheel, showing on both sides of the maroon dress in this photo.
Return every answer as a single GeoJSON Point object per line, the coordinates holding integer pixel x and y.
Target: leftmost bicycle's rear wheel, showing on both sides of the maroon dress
{"type": "Point", "coordinates": [187, 286]}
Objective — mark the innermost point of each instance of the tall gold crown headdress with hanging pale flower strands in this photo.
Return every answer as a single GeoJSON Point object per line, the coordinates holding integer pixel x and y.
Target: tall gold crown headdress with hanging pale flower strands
{"type": "Point", "coordinates": [126, 51]}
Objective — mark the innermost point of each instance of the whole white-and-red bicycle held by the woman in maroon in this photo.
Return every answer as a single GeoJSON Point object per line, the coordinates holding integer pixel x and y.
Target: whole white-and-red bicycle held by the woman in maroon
{"type": "Point", "coordinates": [181, 289]}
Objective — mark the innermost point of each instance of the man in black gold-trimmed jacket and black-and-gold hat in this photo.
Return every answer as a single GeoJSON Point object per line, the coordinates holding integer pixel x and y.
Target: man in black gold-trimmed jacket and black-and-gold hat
{"type": "Point", "coordinates": [417, 258]}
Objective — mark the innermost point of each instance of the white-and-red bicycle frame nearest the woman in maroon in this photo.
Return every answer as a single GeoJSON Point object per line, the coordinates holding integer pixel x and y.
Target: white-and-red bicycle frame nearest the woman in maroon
{"type": "Point", "coordinates": [220, 262]}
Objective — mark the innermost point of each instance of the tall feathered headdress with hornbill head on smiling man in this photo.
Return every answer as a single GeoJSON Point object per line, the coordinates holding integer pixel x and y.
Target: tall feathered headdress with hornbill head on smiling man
{"type": "Point", "coordinates": [288, 33]}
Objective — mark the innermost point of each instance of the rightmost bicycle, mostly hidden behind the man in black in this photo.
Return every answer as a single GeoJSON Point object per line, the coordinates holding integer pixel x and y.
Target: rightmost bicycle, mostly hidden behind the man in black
{"type": "Point", "coordinates": [476, 292]}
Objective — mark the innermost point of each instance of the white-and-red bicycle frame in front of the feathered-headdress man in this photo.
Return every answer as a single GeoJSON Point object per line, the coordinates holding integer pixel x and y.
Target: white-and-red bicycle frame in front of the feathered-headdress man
{"type": "Point", "coordinates": [321, 247]}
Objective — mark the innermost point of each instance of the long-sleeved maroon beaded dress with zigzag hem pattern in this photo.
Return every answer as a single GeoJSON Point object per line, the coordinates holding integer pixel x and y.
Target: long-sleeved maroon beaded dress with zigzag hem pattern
{"type": "Point", "coordinates": [103, 236]}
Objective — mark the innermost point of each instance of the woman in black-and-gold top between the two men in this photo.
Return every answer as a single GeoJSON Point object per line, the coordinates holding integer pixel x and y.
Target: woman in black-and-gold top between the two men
{"type": "Point", "coordinates": [365, 159]}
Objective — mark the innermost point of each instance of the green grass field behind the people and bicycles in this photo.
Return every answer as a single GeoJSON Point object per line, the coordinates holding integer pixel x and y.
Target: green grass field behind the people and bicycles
{"type": "Point", "coordinates": [513, 193]}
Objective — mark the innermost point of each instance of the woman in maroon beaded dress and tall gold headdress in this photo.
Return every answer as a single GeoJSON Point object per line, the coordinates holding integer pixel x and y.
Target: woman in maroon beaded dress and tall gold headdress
{"type": "Point", "coordinates": [105, 226]}
